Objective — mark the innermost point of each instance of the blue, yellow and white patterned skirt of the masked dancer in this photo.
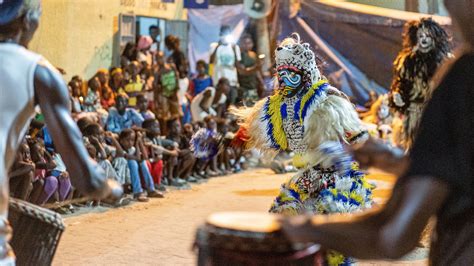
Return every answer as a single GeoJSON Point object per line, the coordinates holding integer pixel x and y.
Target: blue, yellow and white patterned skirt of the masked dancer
{"type": "Point", "coordinates": [319, 190]}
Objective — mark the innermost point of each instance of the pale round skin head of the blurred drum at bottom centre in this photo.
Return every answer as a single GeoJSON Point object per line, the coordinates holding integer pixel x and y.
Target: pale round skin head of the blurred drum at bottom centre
{"type": "Point", "coordinates": [245, 221]}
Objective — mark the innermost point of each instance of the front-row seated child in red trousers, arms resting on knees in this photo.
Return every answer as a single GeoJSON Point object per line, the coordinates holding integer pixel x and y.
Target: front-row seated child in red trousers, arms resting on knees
{"type": "Point", "coordinates": [165, 154]}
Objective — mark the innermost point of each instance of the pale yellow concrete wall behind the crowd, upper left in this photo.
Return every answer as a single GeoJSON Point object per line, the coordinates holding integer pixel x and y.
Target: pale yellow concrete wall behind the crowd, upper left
{"type": "Point", "coordinates": [78, 35]}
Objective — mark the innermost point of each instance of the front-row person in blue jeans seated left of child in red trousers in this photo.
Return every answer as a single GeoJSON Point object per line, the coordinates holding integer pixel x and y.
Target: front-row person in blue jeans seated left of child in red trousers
{"type": "Point", "coordinates": [135, 153]}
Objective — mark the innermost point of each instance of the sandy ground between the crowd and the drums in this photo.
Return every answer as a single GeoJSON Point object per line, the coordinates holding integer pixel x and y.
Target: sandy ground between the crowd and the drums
{"type": "Point", "coordinates": [161, 232]}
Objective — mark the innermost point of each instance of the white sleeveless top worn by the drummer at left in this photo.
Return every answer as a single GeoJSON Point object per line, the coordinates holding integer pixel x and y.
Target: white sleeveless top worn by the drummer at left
{"type": "Point", "coordinates": [17, 68]}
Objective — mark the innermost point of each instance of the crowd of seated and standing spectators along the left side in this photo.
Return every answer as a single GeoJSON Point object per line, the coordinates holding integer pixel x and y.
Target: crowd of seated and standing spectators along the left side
{"type": "Point", "coordinates": [144, 122]}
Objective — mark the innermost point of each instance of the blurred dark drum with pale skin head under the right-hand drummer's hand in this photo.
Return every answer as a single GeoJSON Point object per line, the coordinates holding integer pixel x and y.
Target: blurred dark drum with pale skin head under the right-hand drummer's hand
{"type": "Point", "coordinates": [235, 239]}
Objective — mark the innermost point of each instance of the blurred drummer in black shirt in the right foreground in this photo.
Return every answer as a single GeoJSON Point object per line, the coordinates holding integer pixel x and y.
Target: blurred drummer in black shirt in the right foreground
{"type": "Point", "coordinates": [436, 179]}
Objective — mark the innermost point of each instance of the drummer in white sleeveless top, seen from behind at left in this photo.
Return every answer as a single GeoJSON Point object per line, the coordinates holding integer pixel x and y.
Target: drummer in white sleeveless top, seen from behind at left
{"type": "Point", "coordinates": [27, 79]}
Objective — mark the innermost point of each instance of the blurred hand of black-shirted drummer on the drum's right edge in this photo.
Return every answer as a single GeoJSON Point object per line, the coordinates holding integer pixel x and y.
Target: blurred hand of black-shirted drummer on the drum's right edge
{"type": "Point", "coordinates": [297, 229]}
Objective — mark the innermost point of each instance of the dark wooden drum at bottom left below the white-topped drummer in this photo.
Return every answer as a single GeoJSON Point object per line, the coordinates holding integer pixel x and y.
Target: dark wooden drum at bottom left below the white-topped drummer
{"type": "Point", "coordinates": [36, 232]}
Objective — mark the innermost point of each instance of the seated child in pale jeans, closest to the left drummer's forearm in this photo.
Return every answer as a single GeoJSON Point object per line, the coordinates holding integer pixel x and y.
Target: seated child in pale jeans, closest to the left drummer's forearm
{"type": "Point", "coordinates": [110, 157]}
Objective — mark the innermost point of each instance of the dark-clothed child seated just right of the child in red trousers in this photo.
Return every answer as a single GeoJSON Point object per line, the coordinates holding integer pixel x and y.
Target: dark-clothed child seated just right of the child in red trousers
{"type": "Point", "coordinates": [186, 159]}
